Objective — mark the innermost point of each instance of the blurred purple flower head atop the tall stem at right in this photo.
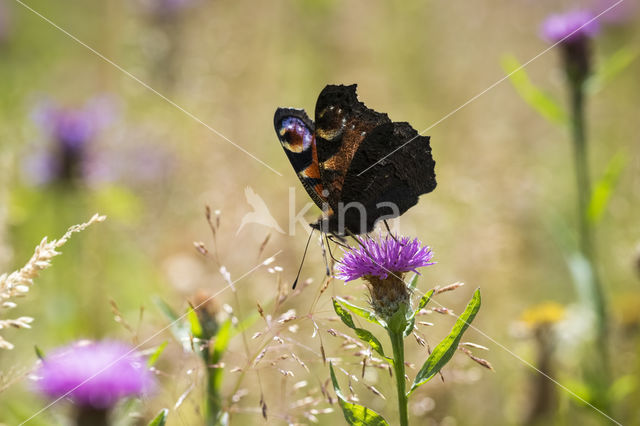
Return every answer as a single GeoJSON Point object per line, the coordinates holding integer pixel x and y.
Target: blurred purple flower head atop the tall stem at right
{"type": "Point", "coordinates": [570, 27]}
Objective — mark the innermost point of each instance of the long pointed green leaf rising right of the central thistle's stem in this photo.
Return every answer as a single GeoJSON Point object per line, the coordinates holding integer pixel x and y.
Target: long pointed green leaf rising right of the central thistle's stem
{"type": "Point", "coordinates": [446, 348]}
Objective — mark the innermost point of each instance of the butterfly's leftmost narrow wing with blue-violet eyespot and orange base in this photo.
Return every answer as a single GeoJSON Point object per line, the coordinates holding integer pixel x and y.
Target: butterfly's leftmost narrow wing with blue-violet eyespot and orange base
{"type": "Point", "coordinates": [296, 134]}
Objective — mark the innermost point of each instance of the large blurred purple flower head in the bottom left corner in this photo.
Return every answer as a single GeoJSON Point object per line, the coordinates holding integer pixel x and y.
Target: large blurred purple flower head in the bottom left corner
{"type": "Point", "coordinates": [94, 374]}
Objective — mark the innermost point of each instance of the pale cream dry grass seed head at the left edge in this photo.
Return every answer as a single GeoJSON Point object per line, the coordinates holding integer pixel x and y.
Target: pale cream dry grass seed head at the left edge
{"type": "Point", "coordinates": [18, 283]}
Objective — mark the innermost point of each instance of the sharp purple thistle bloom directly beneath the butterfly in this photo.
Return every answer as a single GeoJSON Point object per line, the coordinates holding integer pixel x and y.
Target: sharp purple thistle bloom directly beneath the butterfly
{"type": "Point", "coordinates": [383, 256]}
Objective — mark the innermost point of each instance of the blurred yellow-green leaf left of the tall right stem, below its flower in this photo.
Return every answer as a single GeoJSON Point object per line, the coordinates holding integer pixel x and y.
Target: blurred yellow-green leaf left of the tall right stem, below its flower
{"type": "Point", "coordinates": [544, 104]}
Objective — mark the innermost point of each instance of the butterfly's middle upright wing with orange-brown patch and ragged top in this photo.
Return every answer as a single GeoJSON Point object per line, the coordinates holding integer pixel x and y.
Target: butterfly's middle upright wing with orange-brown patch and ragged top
{"type": "Point", "coordinates": [342, 123]}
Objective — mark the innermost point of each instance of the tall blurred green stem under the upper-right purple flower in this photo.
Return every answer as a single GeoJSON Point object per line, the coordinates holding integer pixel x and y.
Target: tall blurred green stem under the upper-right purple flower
{"type": "Point", "coordinates": [586, 238]}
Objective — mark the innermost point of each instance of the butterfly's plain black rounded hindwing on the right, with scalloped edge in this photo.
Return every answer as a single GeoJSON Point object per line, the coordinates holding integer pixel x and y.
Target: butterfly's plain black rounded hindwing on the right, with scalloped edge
{"type": "Point", "coordinates": [387, 188]}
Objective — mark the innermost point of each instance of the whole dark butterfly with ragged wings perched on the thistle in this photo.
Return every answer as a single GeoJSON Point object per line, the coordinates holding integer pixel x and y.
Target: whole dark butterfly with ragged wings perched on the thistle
{"type": "Point", "coordinates": [353, 155]}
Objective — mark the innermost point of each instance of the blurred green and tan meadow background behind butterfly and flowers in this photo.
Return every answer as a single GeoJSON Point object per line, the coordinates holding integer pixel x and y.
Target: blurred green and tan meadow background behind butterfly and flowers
{"type": "Point", "coordinates": [153, 78]}
